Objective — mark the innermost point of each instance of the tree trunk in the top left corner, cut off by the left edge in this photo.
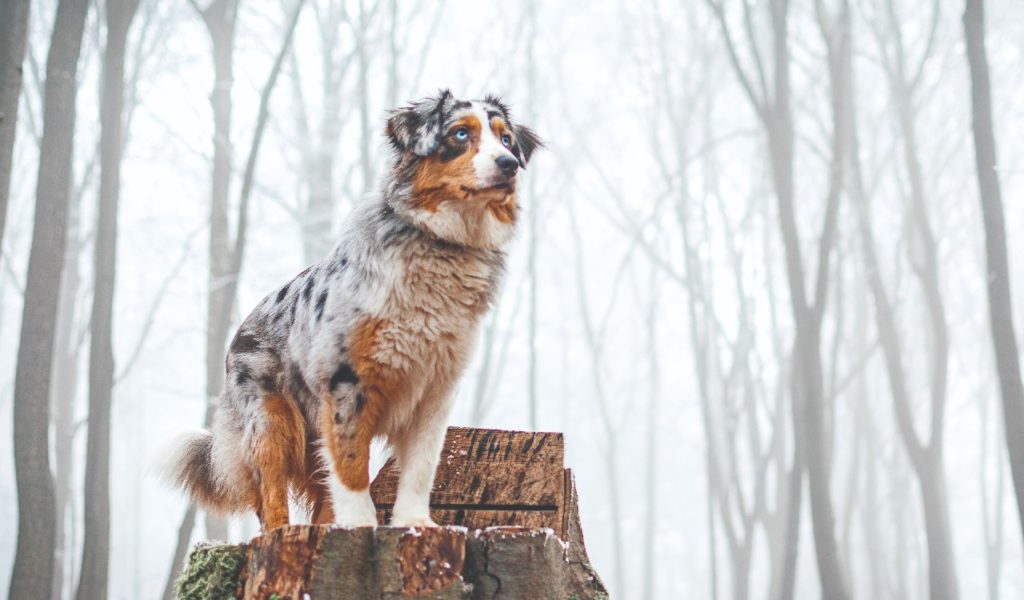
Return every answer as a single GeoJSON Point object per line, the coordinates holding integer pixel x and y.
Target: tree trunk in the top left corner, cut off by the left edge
{"type": "Point", "coordinates": [14, 32]}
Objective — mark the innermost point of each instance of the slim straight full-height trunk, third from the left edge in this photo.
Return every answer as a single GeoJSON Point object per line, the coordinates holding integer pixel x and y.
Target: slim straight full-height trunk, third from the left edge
{"type": "Point", "coordinates": [96, 551]}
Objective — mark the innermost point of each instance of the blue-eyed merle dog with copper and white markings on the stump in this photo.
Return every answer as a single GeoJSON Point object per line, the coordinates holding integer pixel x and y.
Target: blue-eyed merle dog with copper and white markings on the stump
{"type": "Point", "coordinates": [370, 342]}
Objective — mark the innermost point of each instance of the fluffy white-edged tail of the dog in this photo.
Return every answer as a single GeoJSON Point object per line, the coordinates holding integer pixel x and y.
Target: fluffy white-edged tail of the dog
{"type": "Point", "coordinates": [191, 465]}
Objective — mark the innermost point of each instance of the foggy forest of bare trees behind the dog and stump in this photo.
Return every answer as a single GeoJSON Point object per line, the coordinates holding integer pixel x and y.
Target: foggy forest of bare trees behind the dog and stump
{"type": "Point", "coordinates": [767, 279]}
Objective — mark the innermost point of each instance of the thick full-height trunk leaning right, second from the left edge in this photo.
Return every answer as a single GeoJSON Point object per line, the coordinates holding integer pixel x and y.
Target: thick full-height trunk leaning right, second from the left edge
{"type": "Point", "coordinates": [33, 572]}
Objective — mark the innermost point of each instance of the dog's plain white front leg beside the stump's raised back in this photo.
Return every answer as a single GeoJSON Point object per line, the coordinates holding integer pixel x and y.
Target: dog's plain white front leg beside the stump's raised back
{"type": "Point", "coordinates": [418, 452]}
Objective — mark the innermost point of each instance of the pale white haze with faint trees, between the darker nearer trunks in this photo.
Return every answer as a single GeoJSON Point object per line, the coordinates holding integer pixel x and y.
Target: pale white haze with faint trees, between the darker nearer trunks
{"type": "Point", "coordinates": [647, 313]}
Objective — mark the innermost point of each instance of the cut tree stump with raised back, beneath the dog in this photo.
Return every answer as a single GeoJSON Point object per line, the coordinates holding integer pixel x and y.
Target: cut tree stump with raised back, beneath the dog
{"type": "Point", "coordinates": [506, 503]}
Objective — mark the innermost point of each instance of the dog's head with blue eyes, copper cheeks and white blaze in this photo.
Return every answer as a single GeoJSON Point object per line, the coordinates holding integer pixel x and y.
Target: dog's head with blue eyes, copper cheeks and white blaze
{"type": "Point", "coordinates": [457, 166]}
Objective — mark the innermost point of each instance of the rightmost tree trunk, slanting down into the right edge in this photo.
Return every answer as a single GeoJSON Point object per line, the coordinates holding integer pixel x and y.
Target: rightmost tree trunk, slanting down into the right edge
{"type": "Point", "coordinates": [998, 280]}
